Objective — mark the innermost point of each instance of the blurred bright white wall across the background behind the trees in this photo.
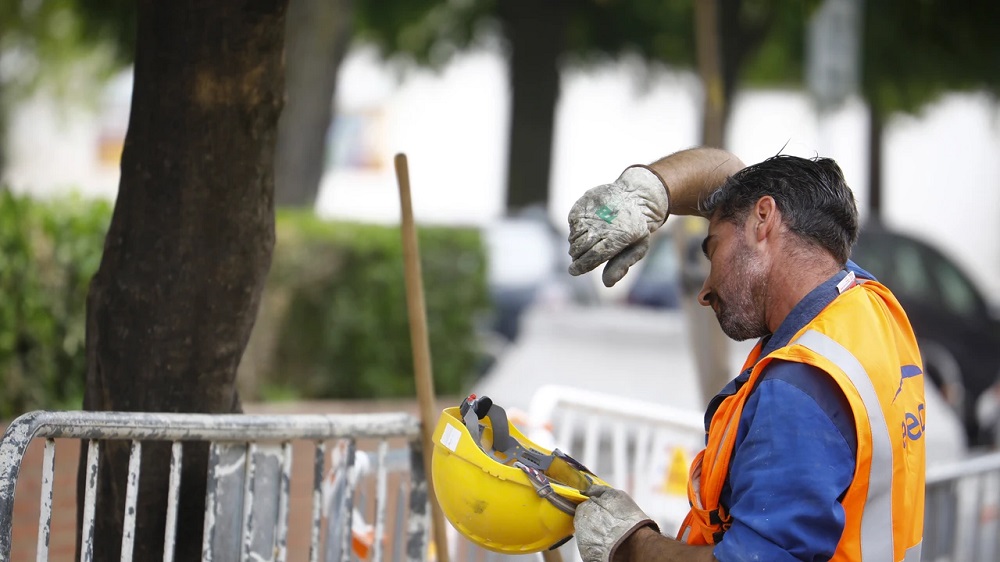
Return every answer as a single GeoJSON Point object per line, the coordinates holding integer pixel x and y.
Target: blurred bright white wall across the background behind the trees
{"type": "Point", "coordinates": [942, 174]}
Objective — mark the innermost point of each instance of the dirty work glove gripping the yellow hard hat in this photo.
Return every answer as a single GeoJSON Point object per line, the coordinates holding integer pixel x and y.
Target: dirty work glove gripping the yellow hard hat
{"type": "Point", "coordinates": [604, 521]}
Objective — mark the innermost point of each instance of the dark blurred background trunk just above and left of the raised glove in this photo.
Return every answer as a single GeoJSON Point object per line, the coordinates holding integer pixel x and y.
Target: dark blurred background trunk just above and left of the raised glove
{"type": "Point", "coordinates": [536, 31]}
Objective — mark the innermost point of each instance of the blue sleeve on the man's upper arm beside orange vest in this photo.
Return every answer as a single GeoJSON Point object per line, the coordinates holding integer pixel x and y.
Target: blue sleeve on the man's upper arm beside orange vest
{"type": "Point", "coordinates": [793, 461]}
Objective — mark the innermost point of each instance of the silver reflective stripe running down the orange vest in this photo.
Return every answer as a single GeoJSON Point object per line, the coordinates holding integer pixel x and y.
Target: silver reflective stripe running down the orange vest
{"type": "Point", "coordinates": [876, 543]}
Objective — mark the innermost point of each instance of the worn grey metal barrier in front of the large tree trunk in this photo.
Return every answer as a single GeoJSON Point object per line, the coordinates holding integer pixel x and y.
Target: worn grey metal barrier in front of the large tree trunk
{"type": "Point", "coordinates": [249, 460]}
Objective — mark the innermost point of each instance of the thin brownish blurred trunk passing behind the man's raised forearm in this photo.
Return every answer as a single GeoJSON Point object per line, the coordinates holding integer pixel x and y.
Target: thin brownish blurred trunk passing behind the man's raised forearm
{"type": "Point", "coordinates": [709, 343]}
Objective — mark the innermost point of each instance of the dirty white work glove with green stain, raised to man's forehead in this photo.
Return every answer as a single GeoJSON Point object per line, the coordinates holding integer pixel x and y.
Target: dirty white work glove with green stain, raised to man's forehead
{"type": "Point", "coordinates": [612, 223]}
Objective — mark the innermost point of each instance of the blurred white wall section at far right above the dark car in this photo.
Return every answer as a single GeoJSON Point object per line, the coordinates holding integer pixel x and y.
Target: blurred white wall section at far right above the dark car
{"type": "Point", "coordinates": [943, 182]}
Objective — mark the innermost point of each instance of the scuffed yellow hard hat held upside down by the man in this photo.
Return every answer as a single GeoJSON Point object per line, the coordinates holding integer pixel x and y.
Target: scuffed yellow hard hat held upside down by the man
{"type": "Point", "coordinates": [500, 490]}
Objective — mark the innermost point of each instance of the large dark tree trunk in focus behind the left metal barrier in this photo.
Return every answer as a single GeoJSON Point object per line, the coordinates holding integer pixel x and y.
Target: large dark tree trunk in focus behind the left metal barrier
{"type": "Point", "coordinates": [172, 305]}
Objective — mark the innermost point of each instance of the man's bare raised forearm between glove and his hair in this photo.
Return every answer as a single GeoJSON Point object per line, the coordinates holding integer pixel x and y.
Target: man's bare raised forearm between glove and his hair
{"type": "Point", "coordinates": [692, 174]}
